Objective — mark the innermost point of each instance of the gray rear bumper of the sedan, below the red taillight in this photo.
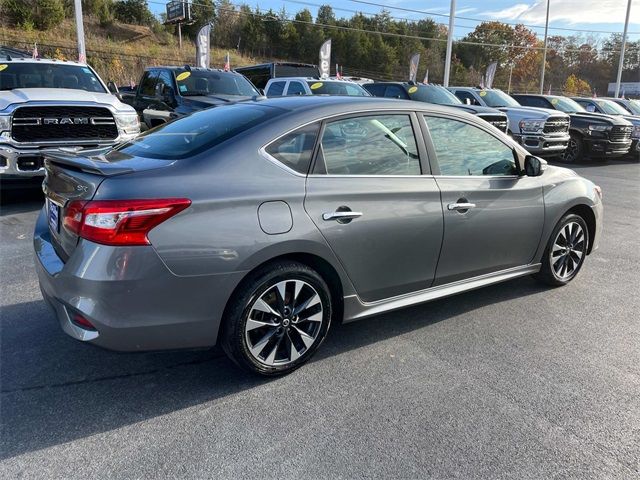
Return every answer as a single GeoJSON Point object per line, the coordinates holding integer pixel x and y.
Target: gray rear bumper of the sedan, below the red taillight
{"type": "Point", "coordinates": [130, 296]}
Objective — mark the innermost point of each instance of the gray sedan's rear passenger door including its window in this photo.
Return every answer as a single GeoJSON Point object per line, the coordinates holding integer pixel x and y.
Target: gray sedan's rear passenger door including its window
{"type": "Point", "coordinates": [369, 198]}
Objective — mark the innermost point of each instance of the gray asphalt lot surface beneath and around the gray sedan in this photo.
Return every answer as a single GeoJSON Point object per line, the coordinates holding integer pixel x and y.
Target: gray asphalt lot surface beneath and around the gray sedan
{"type": "Point", "coordinates": [516, 381]}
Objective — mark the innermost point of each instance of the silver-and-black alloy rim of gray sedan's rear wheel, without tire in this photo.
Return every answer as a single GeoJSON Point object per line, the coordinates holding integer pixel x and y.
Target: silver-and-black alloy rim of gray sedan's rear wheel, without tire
{"type": "Point", "coordinates": [284, 322]}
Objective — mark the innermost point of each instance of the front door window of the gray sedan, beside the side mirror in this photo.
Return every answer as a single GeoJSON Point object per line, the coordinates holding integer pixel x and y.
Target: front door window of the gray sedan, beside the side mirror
{"type": "Point", "coordinates": [463, 149]}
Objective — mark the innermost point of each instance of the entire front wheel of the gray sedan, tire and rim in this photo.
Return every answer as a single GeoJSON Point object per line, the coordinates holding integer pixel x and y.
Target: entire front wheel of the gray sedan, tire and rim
{"type": "Point", "coordinates": [565, 252]}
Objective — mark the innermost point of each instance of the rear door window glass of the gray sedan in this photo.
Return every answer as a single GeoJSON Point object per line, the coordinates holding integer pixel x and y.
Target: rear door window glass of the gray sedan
{"type": "Point", "coordinates": [369, 145]}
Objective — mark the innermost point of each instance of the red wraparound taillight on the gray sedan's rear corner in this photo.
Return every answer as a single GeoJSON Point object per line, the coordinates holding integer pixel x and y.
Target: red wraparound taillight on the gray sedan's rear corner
{"type": "Point", "coordinates": [120, 222]}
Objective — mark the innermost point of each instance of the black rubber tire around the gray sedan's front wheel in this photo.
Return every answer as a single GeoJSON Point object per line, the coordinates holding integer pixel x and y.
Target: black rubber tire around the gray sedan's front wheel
{"type": "Point", "coordinates": [548, 273]}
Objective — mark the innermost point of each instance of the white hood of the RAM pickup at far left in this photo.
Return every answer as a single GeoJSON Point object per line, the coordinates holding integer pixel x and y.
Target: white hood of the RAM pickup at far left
{"type": "Point", "coordinates": [59, 95]}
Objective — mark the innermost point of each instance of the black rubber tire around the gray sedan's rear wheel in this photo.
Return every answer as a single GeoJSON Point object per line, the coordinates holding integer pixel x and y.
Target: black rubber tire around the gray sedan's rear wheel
{"type": "Point", "coordinates": [261, 285]}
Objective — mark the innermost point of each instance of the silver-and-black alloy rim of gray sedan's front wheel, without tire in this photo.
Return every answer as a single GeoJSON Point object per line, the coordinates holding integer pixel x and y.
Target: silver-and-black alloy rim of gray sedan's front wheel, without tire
{"type": "Point", "coordinates": [568, 250]}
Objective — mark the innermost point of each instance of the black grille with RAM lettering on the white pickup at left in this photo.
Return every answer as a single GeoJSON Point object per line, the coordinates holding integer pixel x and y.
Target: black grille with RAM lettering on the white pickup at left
{"type": "Point", "coordinates": [63, 123]}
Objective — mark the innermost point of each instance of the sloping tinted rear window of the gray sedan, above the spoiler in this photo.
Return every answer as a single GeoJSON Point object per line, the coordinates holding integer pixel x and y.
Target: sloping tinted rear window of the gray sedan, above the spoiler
{"type": "Point", "coordinates": [198, 132]}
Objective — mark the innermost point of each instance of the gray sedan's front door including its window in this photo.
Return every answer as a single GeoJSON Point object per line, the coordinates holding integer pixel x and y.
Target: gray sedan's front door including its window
{"type": "Point", "coordinates": [493, 217]}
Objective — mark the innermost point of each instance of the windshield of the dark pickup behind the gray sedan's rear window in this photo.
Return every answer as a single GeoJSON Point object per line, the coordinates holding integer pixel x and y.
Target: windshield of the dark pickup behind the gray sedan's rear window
{"type": "Point", "coordinates": [211, 82]}
